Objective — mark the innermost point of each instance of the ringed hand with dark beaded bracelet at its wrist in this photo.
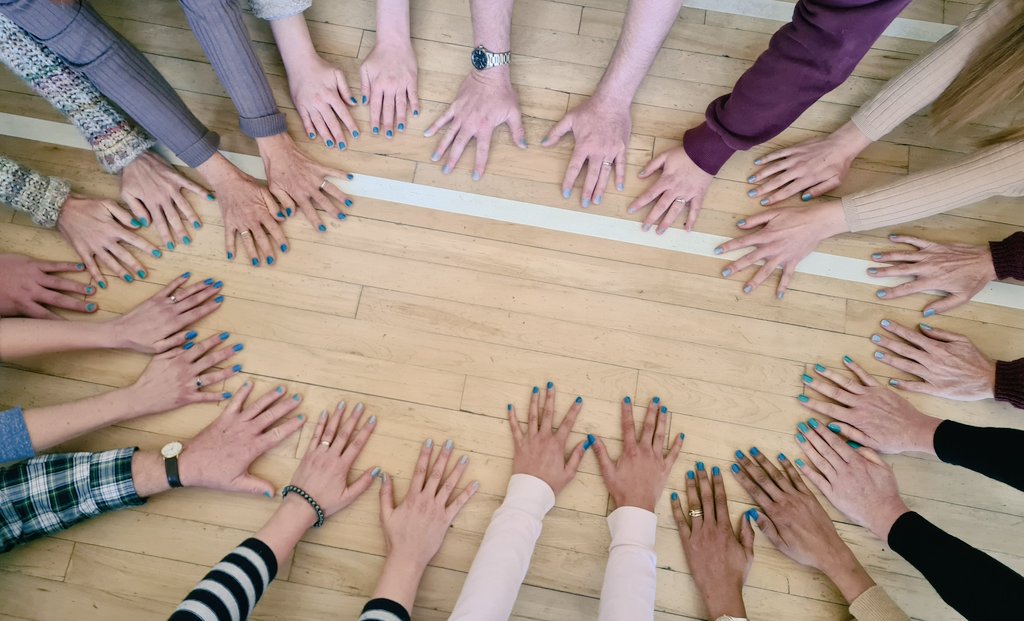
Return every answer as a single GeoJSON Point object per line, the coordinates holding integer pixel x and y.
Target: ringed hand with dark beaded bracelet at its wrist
{"type": "Point", "coordinates": [333, 450]}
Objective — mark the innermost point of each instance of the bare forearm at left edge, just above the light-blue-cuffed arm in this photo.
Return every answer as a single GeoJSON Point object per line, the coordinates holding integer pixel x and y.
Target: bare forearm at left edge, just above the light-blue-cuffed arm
{"type": "Point", "coordinates": [24, 338]}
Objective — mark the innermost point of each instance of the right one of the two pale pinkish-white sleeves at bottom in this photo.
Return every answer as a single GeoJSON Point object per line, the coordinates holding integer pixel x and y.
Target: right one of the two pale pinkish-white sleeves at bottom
{"type": "Point", "coordinates": [630, 578]}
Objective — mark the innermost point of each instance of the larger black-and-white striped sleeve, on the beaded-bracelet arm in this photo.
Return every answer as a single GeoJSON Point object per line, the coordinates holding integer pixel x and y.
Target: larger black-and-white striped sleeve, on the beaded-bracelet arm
{"type": "Point", "coordinates": [234, 587]}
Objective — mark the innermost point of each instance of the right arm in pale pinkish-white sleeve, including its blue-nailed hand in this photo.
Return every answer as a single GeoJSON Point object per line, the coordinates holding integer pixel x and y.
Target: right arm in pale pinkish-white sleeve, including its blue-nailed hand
{"type": "Point", "coordinates": [635, 483]}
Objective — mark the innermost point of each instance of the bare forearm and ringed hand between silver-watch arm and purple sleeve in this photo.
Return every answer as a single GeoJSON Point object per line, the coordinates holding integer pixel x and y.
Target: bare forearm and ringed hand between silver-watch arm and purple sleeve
{"type": "Point", "coordinates": [602, 126]}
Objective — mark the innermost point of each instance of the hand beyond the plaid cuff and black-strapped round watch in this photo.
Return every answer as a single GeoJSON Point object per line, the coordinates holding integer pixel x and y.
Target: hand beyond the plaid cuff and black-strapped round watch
{"type": "Point", "coordinates": [219, 459]}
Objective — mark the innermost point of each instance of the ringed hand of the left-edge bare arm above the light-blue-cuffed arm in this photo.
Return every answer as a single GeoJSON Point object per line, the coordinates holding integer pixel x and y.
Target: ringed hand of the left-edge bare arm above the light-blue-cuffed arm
{"type": "Point", "coordinates": [155, 326]}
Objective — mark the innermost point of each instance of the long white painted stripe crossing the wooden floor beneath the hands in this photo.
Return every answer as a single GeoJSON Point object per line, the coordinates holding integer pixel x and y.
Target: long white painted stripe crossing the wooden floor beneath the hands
{"type": "Point", "coordinates": [542, 217]}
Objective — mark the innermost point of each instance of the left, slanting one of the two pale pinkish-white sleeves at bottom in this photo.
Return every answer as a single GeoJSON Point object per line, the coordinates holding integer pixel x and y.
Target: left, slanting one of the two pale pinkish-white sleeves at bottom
{"type": "Point", "coordinates": [503, 560]}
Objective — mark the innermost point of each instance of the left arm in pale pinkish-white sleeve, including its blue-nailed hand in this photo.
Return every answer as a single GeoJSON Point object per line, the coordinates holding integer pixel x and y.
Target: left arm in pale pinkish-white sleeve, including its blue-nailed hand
{"type": "Point", "coordinates": [540, 471]}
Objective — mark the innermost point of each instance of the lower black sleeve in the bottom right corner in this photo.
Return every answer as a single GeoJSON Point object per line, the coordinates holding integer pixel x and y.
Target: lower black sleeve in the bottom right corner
{"type": "Point", "coordinates": [969, 581]}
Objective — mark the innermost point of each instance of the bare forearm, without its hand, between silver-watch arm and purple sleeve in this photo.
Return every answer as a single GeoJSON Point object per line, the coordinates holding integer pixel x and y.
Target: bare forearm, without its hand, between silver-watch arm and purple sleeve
{"type": "Point", "coordinates": [647, 25]}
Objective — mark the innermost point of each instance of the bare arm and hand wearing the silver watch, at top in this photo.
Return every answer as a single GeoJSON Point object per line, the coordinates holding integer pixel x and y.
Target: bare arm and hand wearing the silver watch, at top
{"type": "Point", "coordinates": [486, 99]}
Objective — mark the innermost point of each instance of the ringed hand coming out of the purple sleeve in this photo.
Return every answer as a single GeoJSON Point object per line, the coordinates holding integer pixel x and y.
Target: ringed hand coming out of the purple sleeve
{"type": "Point", "coordinates": [682, 185]}
